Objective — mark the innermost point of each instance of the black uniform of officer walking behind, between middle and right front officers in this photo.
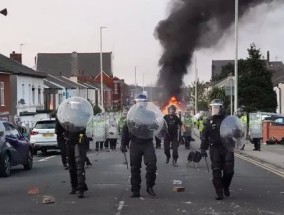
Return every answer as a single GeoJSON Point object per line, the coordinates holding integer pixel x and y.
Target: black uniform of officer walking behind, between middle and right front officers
{"type": "Point", "coordinates": [173, 123]}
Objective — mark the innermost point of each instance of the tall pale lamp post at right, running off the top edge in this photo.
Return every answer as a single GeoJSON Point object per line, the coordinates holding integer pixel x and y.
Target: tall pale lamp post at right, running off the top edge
{"type": "Point", "coordinates": [236, 55]}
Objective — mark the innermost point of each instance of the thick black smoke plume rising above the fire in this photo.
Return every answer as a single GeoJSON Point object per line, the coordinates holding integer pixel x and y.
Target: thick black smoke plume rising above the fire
{"type": "Point", "coordinates": [191, 25]}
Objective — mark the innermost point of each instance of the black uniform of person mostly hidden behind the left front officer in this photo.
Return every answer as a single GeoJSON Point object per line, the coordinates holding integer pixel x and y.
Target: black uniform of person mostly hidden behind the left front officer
{"type": "Point", "coordinates": [59, 131]}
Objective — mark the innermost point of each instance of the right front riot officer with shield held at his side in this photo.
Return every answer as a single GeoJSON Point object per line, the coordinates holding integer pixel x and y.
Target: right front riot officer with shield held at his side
{"type": "Point", "coordinates": [222, 160]}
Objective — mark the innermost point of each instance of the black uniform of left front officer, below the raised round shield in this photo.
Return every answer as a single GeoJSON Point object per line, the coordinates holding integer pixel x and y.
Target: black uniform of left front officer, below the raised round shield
{"type": "Point", "coordinates": [76, 150]}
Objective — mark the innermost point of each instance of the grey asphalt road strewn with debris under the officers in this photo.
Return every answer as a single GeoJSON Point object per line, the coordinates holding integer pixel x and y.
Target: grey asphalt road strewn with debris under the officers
{"type": "Point", "coordinates": [254, 190]}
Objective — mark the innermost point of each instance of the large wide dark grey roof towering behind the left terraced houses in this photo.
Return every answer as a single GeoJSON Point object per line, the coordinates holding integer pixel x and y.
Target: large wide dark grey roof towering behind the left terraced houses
{"type": "Point", "coordinates": [74, 64]}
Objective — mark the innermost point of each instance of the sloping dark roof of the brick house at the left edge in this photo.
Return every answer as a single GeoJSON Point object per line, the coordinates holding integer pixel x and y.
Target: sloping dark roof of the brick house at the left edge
{"type": "Point", "coordinates": [14, 67]}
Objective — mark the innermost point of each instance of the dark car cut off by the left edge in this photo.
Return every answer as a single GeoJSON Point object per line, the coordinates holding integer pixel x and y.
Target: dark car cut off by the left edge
{"type": "Point", "coordinates": [15, 149]}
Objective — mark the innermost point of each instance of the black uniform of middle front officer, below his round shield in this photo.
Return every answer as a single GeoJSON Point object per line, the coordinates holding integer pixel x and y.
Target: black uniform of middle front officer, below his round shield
{"type": "Point", "coordinates": [140, 148]}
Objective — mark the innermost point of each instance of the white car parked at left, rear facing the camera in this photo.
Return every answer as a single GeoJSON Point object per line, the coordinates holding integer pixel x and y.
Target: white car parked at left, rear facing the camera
{"type": "Point", "coordinates": [43, 136]}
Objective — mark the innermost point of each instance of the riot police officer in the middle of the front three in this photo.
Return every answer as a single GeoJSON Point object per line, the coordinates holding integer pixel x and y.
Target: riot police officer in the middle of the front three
{"type": "Point", "coordinates": [140, 147]}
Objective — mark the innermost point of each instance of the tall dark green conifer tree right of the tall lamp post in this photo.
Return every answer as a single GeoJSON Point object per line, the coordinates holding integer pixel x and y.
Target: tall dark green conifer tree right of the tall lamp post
{"type": "Point", "coordinates": [255, 87]}
